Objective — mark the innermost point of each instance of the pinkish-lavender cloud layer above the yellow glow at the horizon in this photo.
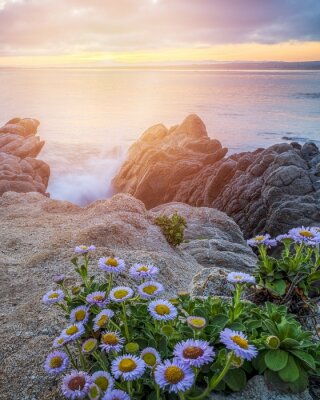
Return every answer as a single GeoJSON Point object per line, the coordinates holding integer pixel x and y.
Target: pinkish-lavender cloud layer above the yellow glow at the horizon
{"type": "Point", "coordinates": [49, 27]}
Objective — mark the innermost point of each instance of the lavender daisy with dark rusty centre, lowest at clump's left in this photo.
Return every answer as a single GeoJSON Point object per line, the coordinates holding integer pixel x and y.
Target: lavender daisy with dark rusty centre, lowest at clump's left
{"type": "Point", "coordinates": [76, 385]}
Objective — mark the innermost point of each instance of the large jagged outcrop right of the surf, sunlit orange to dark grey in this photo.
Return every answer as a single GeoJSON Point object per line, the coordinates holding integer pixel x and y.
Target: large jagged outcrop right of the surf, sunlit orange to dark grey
{"type": "Point", "coordinates": [269, 190]}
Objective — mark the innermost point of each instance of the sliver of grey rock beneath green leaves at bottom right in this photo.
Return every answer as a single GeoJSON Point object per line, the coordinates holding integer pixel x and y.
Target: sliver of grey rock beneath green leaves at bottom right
{"type": "Point", "coordinates": [257, 389]}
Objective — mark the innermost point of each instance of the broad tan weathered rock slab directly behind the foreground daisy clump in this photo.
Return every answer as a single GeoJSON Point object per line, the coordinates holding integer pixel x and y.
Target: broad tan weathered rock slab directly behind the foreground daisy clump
{"type": "Point", "coordinates": [37, 236]}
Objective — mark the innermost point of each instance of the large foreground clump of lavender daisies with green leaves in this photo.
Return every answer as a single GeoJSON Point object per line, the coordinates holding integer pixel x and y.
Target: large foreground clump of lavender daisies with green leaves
{"type": "Point", "coordinates": [132, 343]}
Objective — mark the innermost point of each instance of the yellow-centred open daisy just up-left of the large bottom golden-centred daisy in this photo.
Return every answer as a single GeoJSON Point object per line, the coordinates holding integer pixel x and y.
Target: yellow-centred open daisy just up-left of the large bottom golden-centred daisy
{"type": "Point", "coordinates": [128, 367]}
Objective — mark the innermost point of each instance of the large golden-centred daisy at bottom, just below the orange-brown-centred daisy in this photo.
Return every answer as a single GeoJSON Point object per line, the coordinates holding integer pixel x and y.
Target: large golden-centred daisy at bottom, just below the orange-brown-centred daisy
{"type": "Point", "coordinates": [175, 376]}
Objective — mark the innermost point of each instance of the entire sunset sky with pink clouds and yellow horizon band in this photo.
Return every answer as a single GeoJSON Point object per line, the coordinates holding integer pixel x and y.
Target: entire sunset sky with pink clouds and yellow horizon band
{"type": "Point", "coordinates": [151, 32]}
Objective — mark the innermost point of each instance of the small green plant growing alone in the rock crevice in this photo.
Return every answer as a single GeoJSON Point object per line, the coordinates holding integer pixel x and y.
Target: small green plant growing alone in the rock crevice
{"type": "Point", "coordinates": [172, 227]}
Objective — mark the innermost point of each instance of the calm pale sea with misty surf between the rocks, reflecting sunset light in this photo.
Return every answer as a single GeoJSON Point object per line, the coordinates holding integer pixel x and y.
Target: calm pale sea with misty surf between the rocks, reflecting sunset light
{"type": "Point", "coordinates": [89, 117]}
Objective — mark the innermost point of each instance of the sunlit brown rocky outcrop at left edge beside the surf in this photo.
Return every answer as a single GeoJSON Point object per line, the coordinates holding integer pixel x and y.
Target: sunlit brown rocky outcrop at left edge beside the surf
{"type": "Point", "coordinates": [20, 171]}
